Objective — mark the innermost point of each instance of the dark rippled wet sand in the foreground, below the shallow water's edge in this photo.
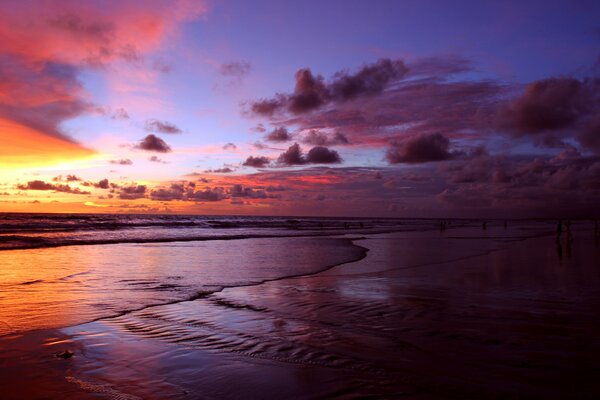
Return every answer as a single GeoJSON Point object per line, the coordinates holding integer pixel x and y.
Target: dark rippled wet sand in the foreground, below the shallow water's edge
{"type": "Point", "coordinates": [423, 315]}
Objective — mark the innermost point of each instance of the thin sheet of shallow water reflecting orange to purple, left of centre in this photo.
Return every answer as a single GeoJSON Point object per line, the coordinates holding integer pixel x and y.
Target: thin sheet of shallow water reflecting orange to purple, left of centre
{"type": "Point", "coordinates": [56, 287]}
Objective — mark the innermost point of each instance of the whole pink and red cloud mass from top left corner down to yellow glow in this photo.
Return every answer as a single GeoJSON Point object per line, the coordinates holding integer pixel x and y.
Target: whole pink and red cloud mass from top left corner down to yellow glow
{"type": "Point", "coordinates": [42, 58]}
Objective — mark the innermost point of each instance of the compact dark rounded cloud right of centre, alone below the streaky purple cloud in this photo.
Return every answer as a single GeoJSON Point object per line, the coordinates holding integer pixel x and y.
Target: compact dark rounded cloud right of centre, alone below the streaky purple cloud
{"type": "Point", "coordinates": [419, 149]}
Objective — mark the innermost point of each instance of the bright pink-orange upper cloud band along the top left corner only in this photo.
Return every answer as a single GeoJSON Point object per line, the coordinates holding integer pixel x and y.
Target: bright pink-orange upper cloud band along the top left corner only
{"type": "Point", "coordinates": [95, 32]}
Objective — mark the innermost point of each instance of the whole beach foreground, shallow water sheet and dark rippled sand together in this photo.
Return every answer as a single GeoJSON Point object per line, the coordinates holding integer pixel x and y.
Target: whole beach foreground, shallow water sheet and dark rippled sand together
{"type": "Point", "coordinates": [415, 313]}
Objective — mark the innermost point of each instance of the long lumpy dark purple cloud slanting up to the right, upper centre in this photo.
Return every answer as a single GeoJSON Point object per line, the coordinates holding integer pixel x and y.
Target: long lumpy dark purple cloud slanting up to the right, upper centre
{"type": "Point", "coordinates": [312, 92]}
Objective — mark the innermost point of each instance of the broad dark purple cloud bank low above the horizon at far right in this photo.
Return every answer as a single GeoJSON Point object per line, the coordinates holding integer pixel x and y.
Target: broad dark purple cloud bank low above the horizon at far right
{"type": "Point", "coordinates": [567, 183]}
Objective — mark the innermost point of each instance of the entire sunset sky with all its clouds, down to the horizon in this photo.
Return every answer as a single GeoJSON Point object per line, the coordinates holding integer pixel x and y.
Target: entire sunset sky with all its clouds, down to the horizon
{"type": "Point", "coordinates": [325, 108]}
